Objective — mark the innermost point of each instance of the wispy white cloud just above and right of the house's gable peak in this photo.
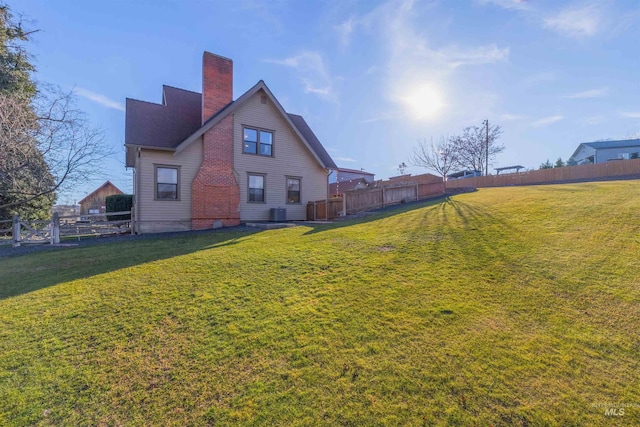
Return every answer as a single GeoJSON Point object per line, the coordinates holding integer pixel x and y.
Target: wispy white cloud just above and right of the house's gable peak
{"type": "Point", "coordinates": [312, 72]}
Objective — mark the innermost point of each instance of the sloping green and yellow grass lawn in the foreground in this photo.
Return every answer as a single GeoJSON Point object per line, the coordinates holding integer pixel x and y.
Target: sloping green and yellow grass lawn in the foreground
{"type": "Point", "coordinates": [510, 306]}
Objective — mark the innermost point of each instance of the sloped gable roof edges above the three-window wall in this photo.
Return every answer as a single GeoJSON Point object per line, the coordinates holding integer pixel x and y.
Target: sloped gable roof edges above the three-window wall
{"type": "Point", "coordinates": [297, 124]}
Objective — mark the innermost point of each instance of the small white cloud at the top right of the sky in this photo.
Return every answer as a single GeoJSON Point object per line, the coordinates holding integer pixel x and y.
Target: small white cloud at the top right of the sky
{"type": "Point", "coordinates": [577, 21]}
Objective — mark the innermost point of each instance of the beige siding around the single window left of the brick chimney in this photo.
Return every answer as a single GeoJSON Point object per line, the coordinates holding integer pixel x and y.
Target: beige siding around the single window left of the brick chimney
{"type": "Point", "coordinates": [166, 215]}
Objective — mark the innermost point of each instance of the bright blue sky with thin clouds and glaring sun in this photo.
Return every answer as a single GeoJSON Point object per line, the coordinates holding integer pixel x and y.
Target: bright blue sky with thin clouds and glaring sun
{"type": "Point", "coordinates": [372, 78]}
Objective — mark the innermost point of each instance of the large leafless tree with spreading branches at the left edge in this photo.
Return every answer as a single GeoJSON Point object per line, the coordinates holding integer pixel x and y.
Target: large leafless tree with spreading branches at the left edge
{"type": "Point", "coordinates": [45, 147]}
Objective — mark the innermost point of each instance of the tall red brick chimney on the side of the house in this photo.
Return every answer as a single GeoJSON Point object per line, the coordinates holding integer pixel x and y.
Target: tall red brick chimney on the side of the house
{"type": "Point", "coordinates": [215, 191]}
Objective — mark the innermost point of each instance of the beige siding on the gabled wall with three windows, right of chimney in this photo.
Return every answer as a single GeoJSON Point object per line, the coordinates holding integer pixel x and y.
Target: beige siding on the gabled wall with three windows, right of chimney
{"type": "Point", "coordinates": [290, 158]}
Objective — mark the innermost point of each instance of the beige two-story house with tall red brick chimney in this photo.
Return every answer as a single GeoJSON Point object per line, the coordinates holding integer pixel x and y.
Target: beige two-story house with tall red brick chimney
{"type": "Point", "coordinates": [204, 160]}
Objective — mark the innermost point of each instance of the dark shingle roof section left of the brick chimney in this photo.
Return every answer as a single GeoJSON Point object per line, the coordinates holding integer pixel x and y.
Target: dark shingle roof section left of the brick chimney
{"type": "Point", "coordinates": [163, 125]}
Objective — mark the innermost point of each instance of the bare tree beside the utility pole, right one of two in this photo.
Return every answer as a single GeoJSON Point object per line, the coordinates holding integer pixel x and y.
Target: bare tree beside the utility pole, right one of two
{"type": "Point", "coordinates": [471, 147]}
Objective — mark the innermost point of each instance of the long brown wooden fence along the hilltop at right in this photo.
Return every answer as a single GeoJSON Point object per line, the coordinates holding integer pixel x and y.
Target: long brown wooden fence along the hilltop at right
{"type": "Point", "coordinates": [618, 168]}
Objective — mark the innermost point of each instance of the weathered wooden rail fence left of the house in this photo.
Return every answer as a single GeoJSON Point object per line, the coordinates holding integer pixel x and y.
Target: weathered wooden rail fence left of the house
{"type": "Point", "coordinates": [61, 227]}
